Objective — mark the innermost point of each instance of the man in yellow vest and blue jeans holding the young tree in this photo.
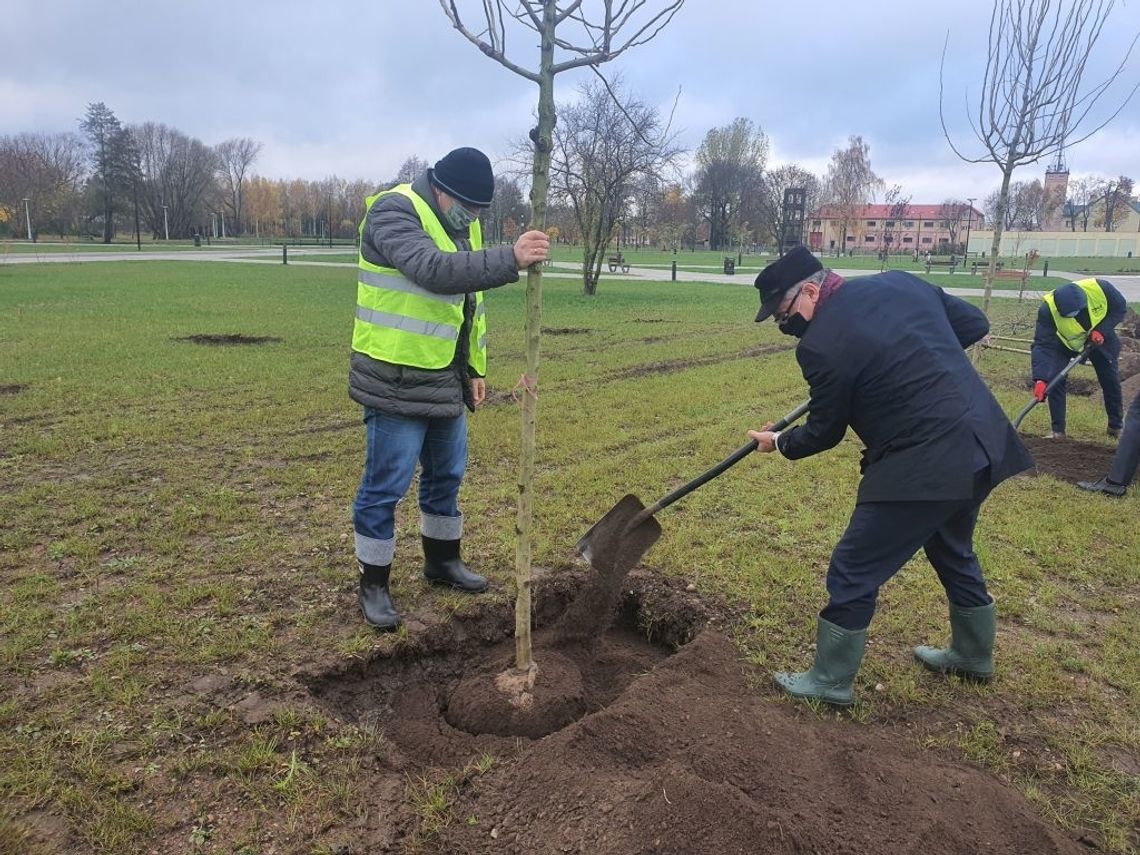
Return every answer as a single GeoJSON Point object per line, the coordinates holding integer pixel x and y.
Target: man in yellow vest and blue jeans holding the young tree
{"type": "Point", "coordinates": [420, 361]}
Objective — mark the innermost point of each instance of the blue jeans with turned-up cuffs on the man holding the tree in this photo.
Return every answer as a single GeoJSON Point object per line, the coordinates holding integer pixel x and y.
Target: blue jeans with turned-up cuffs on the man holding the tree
{"type": "Point", "coordinates": [395, 445]}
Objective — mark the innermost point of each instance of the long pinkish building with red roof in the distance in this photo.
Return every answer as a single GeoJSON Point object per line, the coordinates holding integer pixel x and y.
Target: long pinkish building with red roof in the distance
{"type": "Point", "coordinates": [939, 230]}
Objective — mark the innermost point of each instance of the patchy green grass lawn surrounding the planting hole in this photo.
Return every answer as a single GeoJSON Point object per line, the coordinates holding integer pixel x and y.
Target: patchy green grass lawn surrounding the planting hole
{"type": "Point", "coordinates": [174, 510]}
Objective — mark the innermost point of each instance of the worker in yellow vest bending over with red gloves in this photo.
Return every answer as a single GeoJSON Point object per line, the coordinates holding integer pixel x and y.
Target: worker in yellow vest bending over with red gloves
{"type": "Point", "coordinates": [1074, 315]}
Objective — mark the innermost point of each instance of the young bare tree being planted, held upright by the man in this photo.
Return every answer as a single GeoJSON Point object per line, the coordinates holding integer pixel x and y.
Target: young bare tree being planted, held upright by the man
{"type": "Point", "coordinates": [567, 39]}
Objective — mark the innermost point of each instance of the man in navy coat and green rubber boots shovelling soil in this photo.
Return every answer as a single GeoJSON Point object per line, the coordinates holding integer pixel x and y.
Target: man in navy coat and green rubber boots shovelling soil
{"type": "Point", "coordinates": [884, 356]}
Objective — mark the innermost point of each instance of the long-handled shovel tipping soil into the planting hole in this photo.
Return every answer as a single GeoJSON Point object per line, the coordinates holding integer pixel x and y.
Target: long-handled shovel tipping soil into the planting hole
{"type": "Point", "coordinates": [617, 542]}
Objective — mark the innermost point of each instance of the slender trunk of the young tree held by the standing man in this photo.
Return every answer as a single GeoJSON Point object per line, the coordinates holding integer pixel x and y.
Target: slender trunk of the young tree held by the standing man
{"type": "Point", "coordinates": [540, 189]}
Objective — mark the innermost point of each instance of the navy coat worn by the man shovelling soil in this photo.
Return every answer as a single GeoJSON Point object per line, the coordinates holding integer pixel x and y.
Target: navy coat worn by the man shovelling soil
{"type": "Point", "coordinates": [884, 356]}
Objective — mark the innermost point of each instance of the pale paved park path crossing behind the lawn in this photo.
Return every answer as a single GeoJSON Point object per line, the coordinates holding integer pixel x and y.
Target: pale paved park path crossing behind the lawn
{"type": "Point", "coordinates": [1128, 286]}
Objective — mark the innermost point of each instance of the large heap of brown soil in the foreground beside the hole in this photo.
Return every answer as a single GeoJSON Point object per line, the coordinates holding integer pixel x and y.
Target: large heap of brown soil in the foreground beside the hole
{"type": "Point", "coordinates": [693, 760]}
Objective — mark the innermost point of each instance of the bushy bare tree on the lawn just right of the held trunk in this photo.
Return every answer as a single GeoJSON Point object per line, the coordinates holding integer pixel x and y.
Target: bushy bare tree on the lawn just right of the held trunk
{"type": "Point", "coordinates": [604, 143]}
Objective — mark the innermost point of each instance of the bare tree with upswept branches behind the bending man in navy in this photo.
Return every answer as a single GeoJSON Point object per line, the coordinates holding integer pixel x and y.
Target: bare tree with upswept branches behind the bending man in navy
{"type": "Point", "coordinates": [1033, 100]}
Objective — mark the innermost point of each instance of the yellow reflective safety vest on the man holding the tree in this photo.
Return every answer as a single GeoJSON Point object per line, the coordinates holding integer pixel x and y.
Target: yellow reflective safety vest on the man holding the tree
{"type": "Point", "coordinates": [400, 322]}
